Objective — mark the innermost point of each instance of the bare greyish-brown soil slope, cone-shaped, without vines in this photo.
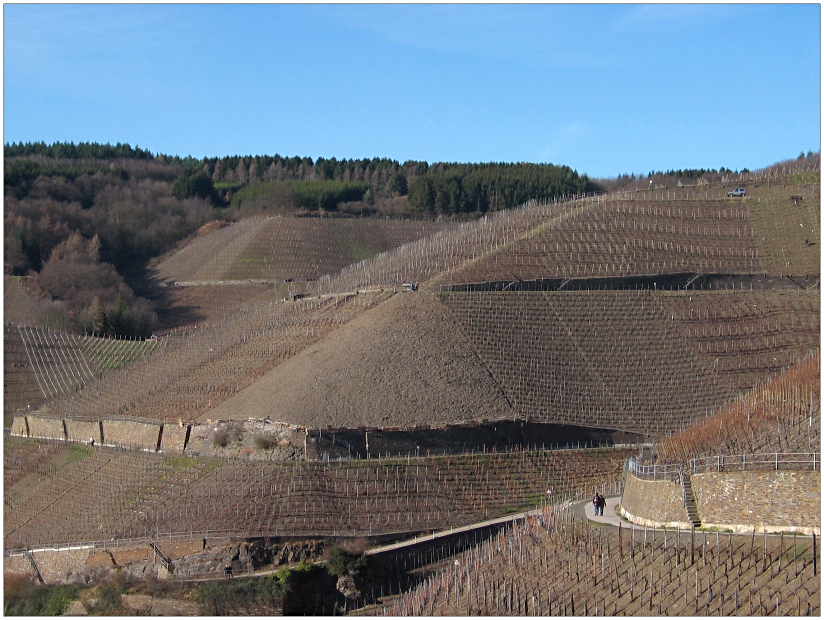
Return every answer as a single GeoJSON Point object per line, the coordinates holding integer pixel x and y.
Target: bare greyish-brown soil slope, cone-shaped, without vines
{"type": "Point", "coordinates": [401, 364]}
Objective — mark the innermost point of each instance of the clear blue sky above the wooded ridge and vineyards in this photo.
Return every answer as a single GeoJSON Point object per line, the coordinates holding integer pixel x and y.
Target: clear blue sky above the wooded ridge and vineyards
{"type": "Point", "coordinates": [605, 89]}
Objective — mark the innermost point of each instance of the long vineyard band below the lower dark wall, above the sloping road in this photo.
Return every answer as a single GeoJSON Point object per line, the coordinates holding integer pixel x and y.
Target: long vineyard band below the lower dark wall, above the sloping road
{"type": "Point", "coordinates": [105, 493]}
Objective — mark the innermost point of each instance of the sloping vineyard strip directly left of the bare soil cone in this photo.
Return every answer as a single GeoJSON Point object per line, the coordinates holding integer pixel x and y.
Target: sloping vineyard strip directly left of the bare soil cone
{"type": "Point", "coordinates": [201, 368]}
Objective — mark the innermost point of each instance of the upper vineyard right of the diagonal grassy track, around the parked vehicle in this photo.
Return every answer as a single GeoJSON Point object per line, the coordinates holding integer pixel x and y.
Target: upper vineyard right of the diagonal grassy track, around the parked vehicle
{"type": "Point", "coordinates": [661, 232]}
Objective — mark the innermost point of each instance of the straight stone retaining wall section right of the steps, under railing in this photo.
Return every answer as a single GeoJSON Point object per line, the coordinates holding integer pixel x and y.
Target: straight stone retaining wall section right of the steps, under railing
{"type": "Point", "coordinates": [764, 501]}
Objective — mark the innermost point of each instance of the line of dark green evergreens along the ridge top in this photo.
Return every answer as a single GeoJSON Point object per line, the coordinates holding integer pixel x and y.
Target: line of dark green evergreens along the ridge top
{"type": "Point", "coordinates": [377, 185]}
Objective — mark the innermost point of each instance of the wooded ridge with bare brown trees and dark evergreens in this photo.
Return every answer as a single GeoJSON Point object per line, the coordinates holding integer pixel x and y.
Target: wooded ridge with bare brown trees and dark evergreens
{"type": "Point", "coordinates": [83, 220]}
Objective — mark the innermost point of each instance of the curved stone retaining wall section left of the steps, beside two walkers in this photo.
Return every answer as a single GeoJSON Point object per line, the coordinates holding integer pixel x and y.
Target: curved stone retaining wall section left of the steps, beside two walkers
{"type": "Point", "coordinates": [654, 503]}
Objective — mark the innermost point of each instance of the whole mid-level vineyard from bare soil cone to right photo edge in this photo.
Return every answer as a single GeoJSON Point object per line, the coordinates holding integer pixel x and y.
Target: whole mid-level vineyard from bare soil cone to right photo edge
{"type": "Point", "coordinates": [604, 358]}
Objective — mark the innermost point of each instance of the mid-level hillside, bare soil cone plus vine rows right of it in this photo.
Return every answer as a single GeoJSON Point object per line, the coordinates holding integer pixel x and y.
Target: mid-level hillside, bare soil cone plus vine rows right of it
{"type": "Point", "coordinates": [598, 359]}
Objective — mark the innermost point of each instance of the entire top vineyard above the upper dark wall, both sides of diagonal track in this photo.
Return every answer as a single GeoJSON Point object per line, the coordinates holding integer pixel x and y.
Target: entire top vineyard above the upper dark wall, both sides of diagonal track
{"type": "Point", "coordinates": [626, 233]}
